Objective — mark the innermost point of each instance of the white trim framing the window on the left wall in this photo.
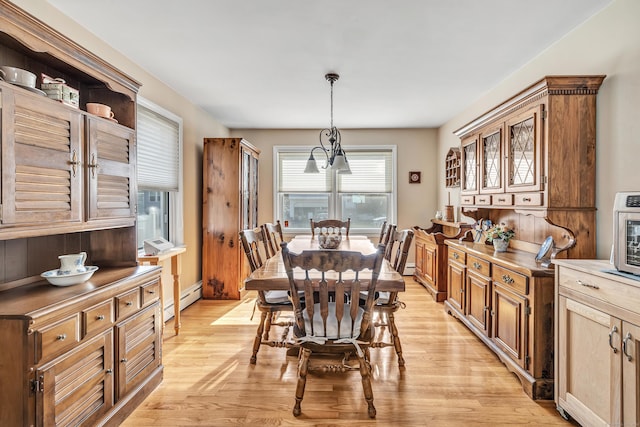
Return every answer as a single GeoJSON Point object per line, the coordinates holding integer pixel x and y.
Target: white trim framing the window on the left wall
{"type": "Point", "coordinates": [176, 199]}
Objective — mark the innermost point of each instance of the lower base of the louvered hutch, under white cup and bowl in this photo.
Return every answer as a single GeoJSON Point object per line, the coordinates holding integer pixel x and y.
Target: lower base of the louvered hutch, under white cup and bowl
{"type": "Point", "coordinates": [86, 354]}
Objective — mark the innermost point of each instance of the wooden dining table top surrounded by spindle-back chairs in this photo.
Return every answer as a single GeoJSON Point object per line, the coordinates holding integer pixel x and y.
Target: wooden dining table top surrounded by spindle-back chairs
{"type": "Point", "coordinates": [273, 276]}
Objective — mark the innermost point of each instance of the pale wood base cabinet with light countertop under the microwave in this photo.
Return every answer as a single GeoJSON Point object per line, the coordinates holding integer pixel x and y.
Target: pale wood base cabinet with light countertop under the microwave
{"type": "Point", "coordinates": [597, 344]}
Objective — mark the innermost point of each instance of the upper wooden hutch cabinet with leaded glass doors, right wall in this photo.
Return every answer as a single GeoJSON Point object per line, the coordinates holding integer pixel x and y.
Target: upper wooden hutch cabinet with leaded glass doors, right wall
{"type": "Point", "coordinates": [524, 156]}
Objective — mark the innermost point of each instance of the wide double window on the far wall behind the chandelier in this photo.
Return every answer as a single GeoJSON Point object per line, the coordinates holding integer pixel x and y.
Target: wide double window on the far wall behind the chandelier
{"type": "Point", "coordinates": [367, 195]}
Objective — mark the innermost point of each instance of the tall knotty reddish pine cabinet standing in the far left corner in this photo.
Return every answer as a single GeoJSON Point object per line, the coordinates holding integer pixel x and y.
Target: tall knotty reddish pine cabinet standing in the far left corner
{"type": "Point", "coordinates": [230, 204]}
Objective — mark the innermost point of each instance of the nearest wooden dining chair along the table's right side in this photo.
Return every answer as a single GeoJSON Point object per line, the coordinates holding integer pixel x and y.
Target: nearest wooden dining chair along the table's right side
{"type": "Point", "coordinates": [387, 303]}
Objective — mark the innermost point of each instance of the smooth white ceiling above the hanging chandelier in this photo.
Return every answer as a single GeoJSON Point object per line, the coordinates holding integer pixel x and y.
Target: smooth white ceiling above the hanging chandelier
{"type": "Point", "coordinates": [261, 64]}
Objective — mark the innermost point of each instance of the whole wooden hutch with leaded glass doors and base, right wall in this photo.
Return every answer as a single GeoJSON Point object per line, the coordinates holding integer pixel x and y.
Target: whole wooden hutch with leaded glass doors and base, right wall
{"type": "Point", "coordinates": [530, 163]}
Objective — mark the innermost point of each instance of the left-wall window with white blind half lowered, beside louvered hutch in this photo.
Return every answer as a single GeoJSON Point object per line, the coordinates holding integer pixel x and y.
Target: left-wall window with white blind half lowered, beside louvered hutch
{"type": "Point", "coordinates": [159, 174]}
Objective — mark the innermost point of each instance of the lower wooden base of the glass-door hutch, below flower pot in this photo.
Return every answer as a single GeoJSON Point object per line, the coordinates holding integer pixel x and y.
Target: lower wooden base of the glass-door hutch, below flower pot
{"type": "Point", "coordinates": [506, 300]}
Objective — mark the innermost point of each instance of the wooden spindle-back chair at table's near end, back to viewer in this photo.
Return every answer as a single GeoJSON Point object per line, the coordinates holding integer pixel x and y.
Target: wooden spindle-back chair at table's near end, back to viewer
{"type": "Point", "coordinates": [330, 325]}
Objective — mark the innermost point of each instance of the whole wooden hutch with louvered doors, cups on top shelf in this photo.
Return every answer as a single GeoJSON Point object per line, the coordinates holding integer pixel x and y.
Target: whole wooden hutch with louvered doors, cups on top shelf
{"type": "Point", "coordinates": [87, 353]}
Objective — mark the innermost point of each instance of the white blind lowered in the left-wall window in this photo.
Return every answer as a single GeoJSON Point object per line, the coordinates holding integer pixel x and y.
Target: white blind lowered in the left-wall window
{"type": "Point", "coordinates": [158, 151]}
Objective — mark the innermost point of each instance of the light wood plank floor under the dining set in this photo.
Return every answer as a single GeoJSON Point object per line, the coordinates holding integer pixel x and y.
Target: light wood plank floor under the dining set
{"type": "Point", "coordinates": [450, 378]}
